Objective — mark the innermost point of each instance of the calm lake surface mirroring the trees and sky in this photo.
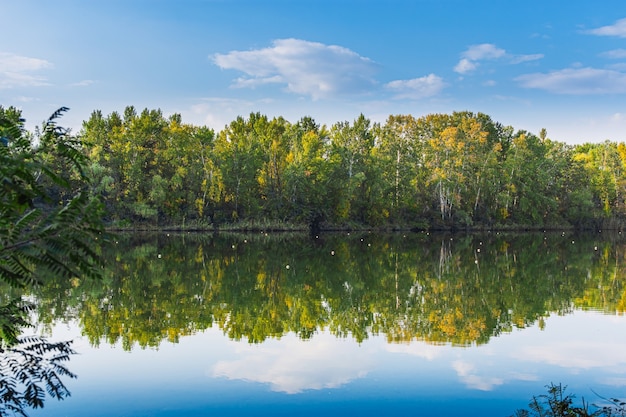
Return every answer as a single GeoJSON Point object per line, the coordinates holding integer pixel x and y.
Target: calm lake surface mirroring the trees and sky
{"type": "Point", "coordinates": [340, 324]}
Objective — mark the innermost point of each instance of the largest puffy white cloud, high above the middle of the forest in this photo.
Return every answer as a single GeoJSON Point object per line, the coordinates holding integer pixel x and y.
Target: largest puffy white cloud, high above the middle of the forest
{"type": "Point", "coordinates": [304, 67]}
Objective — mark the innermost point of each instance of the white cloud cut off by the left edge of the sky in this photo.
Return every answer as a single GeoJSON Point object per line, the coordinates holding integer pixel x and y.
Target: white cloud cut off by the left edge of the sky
{"type": "Point", "coordinates": [16, 71]}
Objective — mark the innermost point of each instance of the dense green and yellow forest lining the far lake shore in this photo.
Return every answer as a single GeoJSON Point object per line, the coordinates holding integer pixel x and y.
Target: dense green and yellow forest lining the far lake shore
{"type": "Point", "coordinates": [440, 171]}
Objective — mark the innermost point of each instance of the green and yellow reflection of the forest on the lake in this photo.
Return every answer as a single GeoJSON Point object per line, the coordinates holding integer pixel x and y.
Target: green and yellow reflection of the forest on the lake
{"type": "Point", "coordinates": [459, 290]}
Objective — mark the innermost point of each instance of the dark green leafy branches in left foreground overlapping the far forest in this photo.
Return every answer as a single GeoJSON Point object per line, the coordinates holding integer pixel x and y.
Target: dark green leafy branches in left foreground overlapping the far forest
{"type": "Point", "coordinates": [48, 222]}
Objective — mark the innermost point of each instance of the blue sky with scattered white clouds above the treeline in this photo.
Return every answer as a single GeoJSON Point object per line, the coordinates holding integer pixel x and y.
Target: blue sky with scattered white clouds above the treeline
{"type": "Point", "coordinates": [559, 65]}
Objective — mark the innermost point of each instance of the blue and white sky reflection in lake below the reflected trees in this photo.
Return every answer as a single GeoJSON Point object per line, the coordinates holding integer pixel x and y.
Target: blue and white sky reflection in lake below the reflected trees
{"type": "Point", "coordinates": [209, 374]}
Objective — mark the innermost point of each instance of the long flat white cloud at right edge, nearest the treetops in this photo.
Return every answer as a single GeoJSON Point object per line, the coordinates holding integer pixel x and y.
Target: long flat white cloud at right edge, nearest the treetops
{"type": "Point", "coordinates": [577, 81]}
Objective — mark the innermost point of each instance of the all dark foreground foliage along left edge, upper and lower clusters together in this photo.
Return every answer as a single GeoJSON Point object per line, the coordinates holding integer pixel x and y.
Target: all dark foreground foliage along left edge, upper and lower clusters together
{"type": "Point", "coordinates": [50, 228]}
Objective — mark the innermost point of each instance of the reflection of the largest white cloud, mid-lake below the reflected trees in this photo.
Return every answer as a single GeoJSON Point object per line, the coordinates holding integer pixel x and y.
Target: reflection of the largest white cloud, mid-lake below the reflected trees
{"type": "Point", "coordinates": [291, 365]}
